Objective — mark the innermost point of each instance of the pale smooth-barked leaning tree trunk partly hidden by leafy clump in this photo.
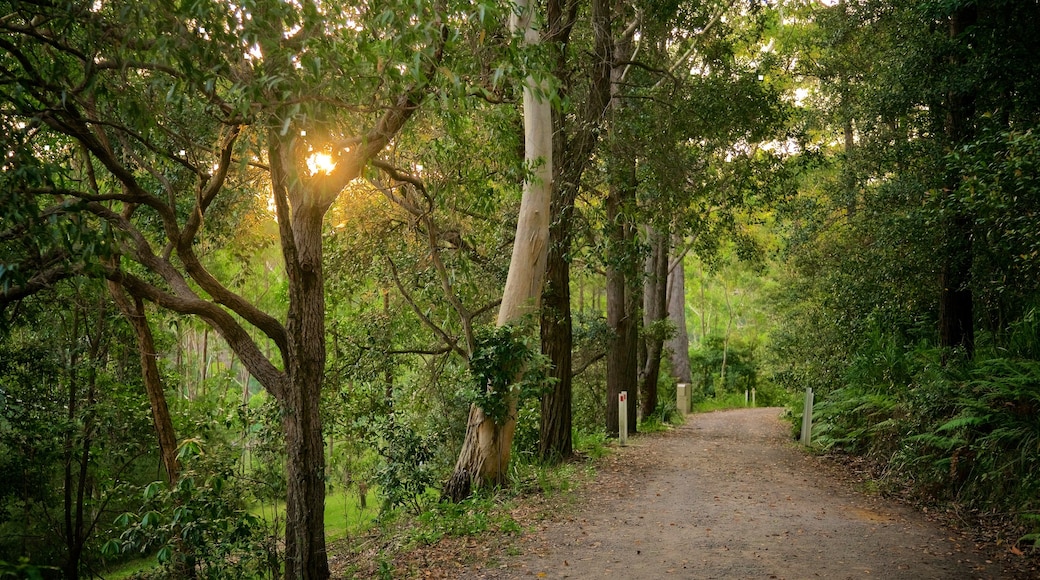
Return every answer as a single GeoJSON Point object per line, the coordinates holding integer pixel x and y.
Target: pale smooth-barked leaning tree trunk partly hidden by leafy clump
{"type": "Point", "coordinates": [485, 454]}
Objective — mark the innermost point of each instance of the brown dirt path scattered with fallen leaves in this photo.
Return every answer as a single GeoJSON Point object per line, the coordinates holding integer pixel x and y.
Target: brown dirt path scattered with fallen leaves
{"type": "Point", "coordinates": [730, 496]}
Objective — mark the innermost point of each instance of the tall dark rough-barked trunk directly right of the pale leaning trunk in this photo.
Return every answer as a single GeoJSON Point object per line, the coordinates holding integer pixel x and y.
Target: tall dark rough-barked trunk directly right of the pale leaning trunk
{"type": "Point", "coordinates": [573, 149]}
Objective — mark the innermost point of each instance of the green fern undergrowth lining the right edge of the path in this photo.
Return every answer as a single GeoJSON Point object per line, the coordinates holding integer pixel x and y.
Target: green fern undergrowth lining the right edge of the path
{"type": "Point", "coordinates": [968, 432]}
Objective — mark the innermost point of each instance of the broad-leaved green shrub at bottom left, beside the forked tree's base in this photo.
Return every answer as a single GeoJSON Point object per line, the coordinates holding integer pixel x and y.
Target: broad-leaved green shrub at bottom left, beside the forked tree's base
{"type": "Point", "coordinates": [201, 524]}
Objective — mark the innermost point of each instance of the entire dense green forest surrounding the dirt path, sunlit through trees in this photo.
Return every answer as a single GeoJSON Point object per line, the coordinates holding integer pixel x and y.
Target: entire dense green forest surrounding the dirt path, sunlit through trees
{"type": "Point", "coordinates": [273, 272]}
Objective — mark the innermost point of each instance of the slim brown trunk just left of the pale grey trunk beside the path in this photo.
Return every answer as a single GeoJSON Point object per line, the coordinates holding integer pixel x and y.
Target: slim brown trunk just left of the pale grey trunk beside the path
{"type": "Point", "coordinates": [655, 311]}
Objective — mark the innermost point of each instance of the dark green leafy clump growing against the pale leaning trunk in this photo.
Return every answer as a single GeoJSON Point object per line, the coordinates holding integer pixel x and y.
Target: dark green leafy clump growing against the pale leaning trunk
{"type": "Point", "coordinates": [507, 363]}
